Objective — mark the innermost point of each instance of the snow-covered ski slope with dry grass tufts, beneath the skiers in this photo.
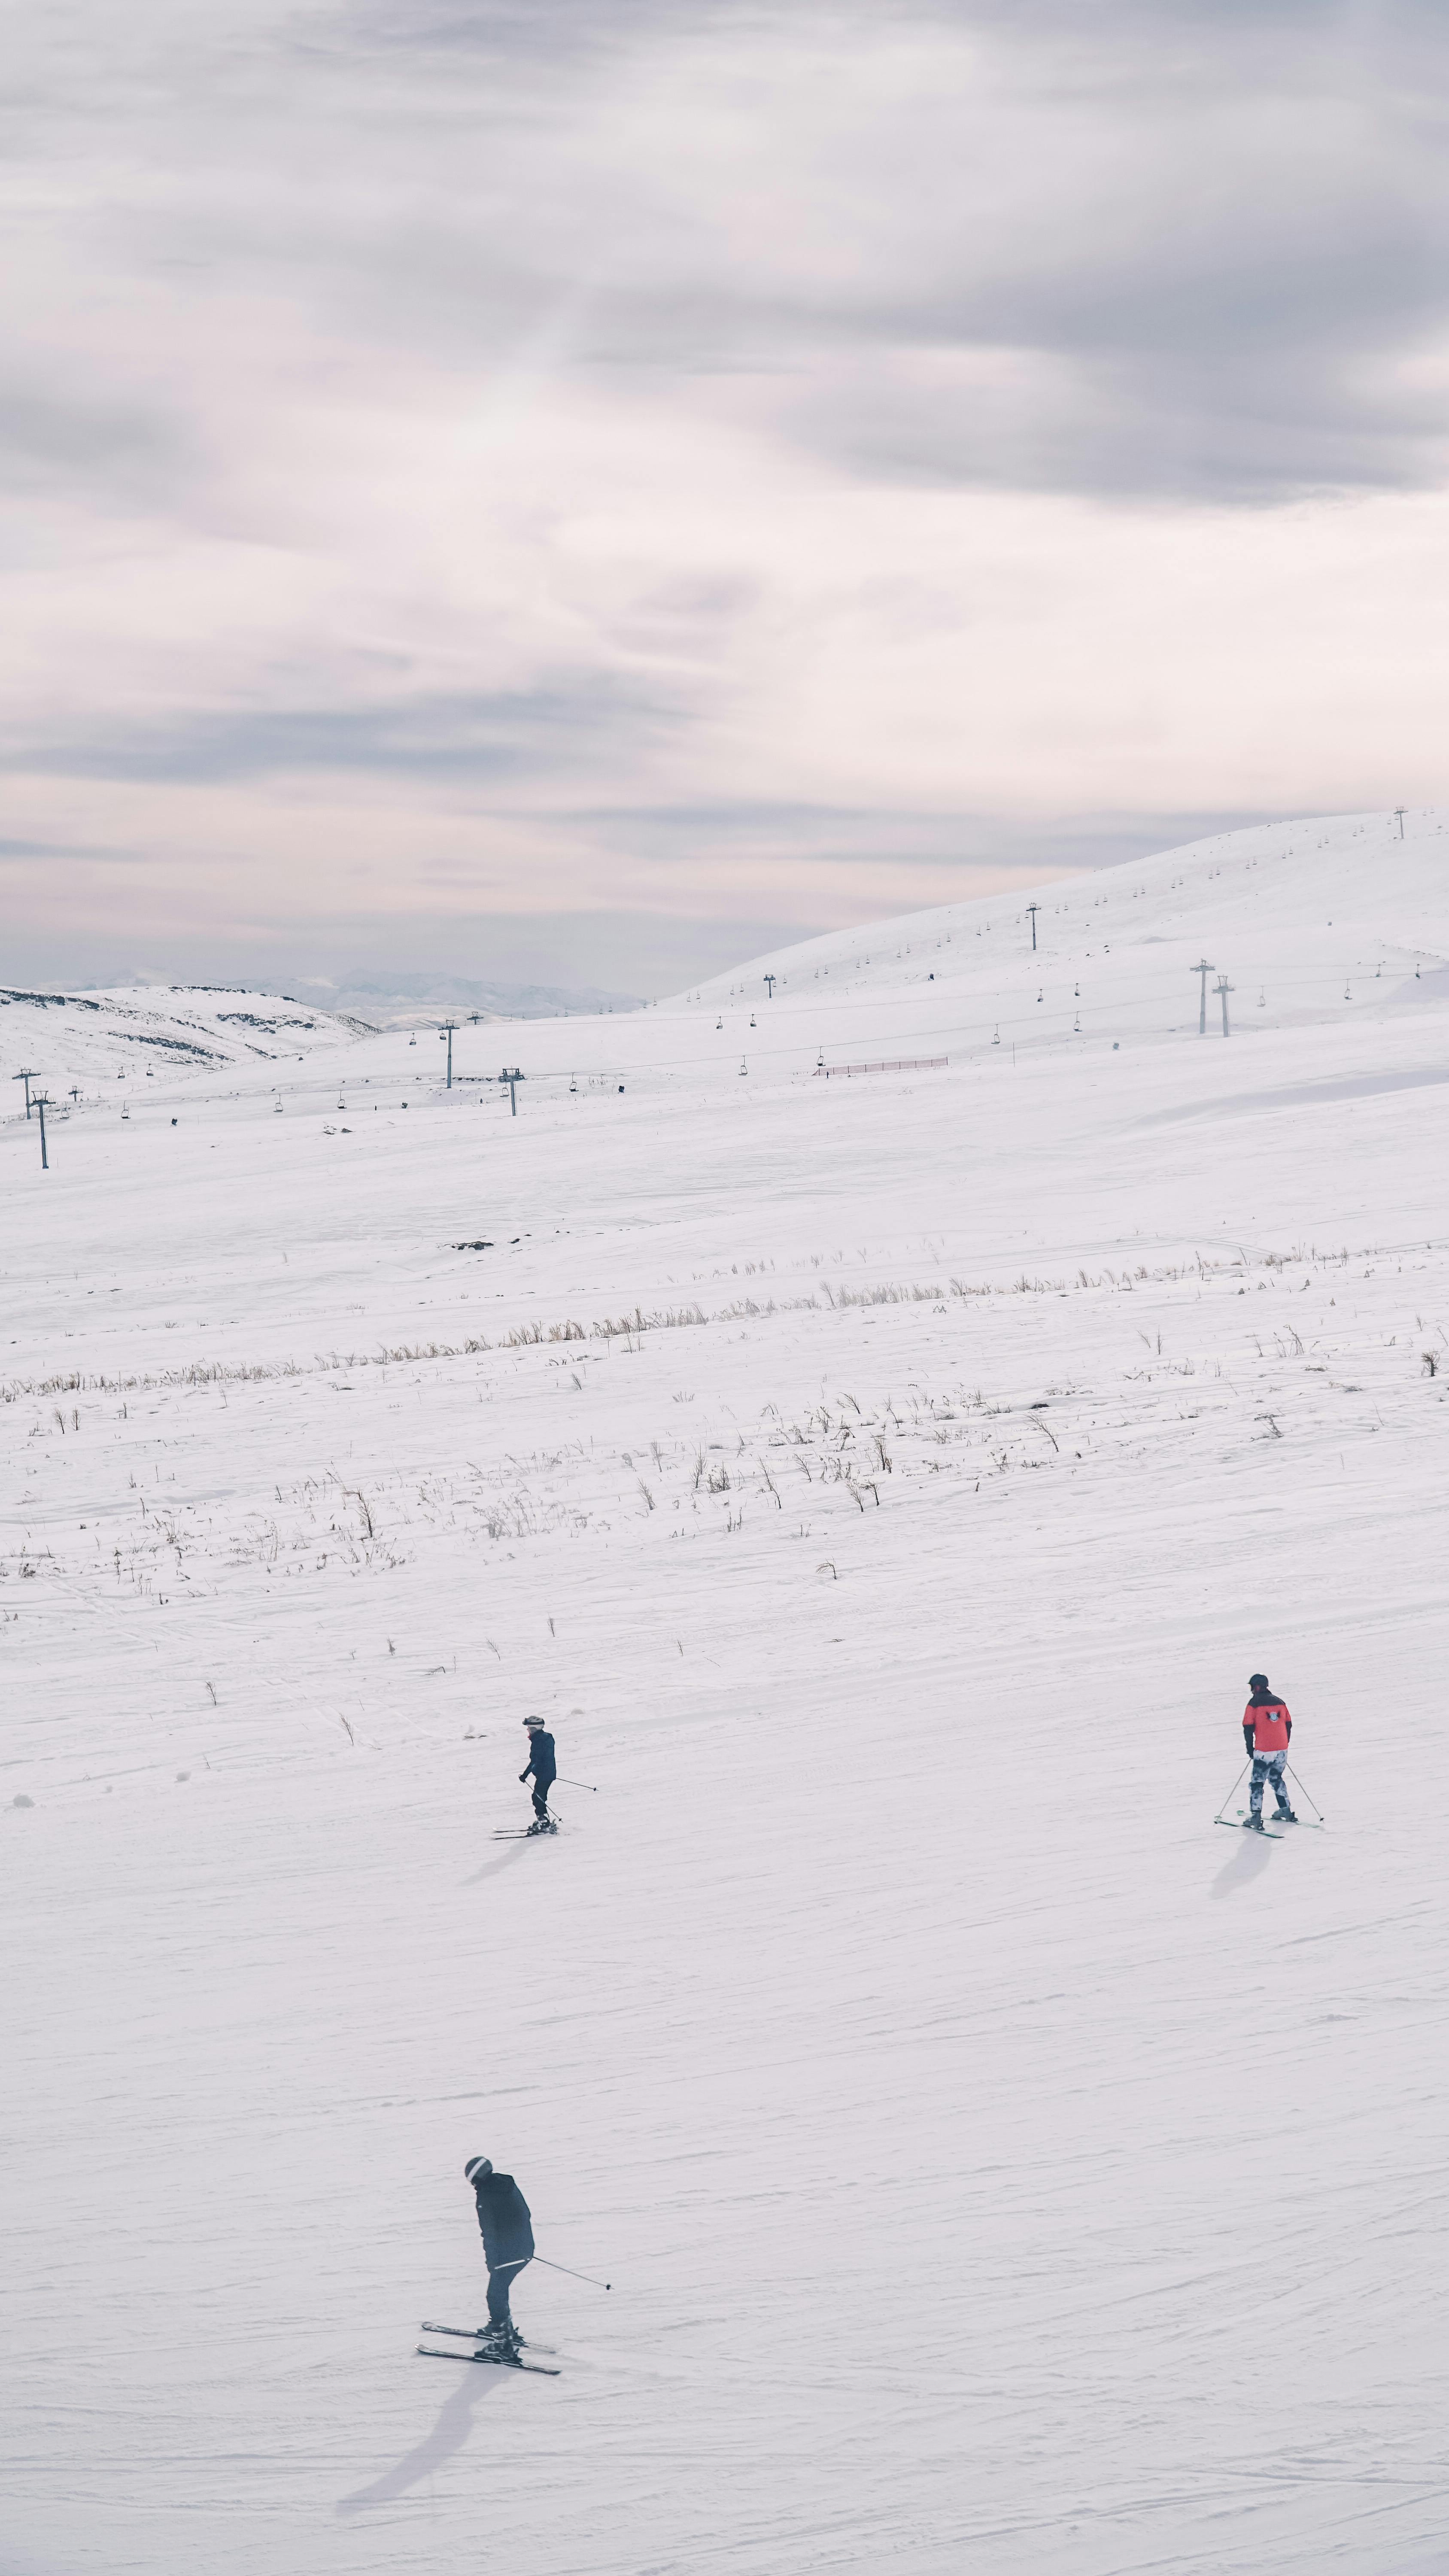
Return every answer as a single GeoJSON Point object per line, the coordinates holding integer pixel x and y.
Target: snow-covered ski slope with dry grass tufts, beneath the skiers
{"type": "Point", "coordinates": [883, 1488]}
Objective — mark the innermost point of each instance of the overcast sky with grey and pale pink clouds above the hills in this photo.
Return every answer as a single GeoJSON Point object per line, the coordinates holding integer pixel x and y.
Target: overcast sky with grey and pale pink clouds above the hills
{"type": "Point", "coordinates": [584, 488]}
